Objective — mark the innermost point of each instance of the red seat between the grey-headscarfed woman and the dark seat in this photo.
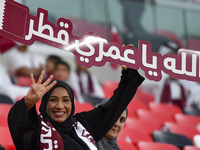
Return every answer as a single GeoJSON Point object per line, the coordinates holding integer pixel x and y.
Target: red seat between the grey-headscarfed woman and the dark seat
{"type": "Point", "coordinates": [134, 135]}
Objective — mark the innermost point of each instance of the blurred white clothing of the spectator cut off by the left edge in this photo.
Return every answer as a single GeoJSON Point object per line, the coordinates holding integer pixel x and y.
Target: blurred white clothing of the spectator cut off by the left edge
{"type": "Point", "coordinates": [8, 88]}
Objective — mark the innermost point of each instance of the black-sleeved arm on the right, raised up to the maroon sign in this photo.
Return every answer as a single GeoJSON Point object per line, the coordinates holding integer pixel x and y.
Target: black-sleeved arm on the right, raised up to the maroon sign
{"type": "Point", "coordinates": [102, 118]}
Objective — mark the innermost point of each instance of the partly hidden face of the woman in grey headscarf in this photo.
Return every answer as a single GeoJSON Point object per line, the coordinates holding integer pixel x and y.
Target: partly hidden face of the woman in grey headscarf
{"type": "Point", "coordinates": [118, 126]}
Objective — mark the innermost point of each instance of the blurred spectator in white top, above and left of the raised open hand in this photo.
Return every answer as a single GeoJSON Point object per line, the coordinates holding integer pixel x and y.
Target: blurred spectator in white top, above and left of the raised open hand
{"type": "Point", "coordinates": [21, 62]}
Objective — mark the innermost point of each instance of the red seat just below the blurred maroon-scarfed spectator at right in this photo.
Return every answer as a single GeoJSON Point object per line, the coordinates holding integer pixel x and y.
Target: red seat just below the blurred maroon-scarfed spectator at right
{"type": "Point", "coordinates": [165, 108]}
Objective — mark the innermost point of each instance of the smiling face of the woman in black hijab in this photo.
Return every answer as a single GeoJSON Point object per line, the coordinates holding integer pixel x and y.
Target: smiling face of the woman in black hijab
{"type": "Point", "coordinates": [59, 105]}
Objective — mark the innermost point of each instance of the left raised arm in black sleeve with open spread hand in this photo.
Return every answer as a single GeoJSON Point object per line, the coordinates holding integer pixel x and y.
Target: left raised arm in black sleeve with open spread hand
{"type": "Point", "coordinates": [23, 120]}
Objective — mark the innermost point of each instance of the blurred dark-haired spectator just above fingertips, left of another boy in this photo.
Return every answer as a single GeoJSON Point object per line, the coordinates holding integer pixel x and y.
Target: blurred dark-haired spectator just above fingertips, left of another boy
{"type": "Point", "coordinates": [50, 65]}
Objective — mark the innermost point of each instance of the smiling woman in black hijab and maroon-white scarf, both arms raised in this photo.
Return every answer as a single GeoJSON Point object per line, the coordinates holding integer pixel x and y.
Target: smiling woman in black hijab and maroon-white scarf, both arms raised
{"type": "Point", "coordinates": [57, 127]}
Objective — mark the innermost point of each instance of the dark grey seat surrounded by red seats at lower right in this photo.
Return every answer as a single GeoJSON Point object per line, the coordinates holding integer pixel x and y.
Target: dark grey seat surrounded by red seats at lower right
{"type": "Point", "coordinates": [175, 139]}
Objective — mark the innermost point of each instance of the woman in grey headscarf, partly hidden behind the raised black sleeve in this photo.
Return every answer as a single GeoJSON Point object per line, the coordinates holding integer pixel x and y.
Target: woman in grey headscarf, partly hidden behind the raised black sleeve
{"type": "Point", "coordinates": [109, 141]}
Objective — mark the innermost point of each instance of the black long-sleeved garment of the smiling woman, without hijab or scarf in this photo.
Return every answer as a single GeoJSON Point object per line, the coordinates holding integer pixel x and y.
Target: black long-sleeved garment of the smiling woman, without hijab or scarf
{"type": "Point", "coordinates": [25, 126]}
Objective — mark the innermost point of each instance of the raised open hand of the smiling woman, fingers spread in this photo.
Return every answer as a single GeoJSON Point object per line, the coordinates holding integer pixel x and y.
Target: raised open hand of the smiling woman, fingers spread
{"type": "Point", "coordinates": [37, 90]}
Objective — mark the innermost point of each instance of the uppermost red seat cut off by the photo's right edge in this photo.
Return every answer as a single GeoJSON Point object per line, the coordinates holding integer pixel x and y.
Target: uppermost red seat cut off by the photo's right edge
{"type": "Point", "coordinates": [193, 121]}
